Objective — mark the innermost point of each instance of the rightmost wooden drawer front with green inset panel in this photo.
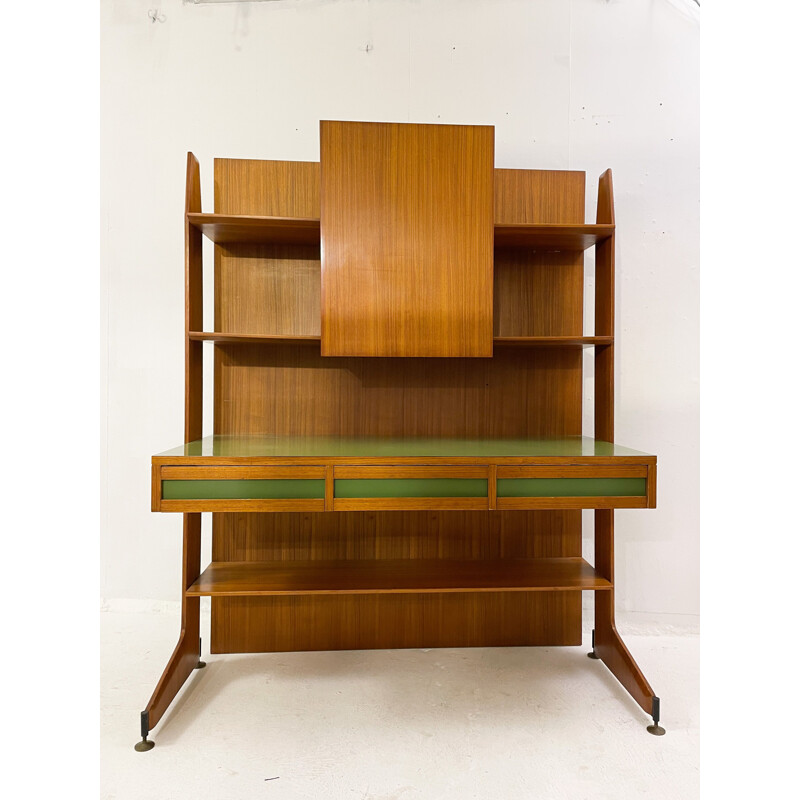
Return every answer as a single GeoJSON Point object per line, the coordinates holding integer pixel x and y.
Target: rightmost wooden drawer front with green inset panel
{"type": "Point", "coordinates": [575, 487]}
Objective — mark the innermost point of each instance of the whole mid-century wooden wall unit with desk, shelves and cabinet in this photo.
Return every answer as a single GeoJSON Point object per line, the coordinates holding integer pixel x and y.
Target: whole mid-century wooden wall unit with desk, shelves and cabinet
{"type": "Point", "coordinates": [397, 458]}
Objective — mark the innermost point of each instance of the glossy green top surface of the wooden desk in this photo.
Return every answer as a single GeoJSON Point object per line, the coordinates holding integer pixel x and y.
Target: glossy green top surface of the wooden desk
{"type": "Point", "coordinates": [362, 447]}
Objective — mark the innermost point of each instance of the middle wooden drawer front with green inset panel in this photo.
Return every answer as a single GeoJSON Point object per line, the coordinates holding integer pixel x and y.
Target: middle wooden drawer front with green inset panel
{"type": "Point", "coordinates": [401, 488]}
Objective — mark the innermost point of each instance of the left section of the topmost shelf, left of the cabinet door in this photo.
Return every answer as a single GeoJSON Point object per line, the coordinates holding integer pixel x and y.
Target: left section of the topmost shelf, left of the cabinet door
{"type": "Point", "coordinates": [222, 228]}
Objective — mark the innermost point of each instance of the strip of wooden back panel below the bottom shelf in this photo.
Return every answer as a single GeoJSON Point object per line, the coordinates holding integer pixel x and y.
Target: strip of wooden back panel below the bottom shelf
{"type": "Point", "coordinates": [328, 622]}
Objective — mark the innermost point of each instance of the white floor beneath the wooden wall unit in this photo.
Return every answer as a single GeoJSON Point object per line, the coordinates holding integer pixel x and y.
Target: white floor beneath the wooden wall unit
{"type": "Point", "coordinates": [508, 723]}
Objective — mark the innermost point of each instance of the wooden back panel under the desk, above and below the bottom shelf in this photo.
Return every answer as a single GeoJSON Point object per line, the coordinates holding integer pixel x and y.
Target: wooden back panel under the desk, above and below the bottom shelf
{"type": "Point", "coordinates": [261, 624]}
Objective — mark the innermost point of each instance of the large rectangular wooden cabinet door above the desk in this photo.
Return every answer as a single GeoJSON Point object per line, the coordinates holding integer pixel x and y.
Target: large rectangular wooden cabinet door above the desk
{"type": "Point", "coordinates": [407, 236]}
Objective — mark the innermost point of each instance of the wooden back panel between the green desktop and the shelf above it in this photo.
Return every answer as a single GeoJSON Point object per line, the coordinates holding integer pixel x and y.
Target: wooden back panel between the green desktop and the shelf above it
{"type": "Point", "coordinates": [284, 390]}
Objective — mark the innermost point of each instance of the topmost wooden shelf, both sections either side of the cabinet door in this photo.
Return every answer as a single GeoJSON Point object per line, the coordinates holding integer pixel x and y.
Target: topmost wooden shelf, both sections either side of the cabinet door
{"type": "Point", "coordinates": [223, 228]}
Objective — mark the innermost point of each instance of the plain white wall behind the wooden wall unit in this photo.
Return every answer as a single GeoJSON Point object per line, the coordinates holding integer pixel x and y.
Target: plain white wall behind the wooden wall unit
{"type": "Point", "coordinates": [585, 84]}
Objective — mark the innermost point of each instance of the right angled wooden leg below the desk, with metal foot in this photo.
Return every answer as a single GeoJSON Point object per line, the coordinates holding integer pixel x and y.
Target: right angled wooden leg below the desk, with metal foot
{"type": "Point", "coordinates": [607, 643]}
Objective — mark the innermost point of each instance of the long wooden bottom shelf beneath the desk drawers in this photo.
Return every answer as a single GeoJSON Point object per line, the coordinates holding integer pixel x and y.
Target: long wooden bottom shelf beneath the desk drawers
{"type": "Point", "coordinates": [406, 576]}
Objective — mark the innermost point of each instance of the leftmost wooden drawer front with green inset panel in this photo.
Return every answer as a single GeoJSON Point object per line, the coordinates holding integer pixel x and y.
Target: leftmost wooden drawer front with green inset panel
{"type": "Point", "coordinates": [240, 489]}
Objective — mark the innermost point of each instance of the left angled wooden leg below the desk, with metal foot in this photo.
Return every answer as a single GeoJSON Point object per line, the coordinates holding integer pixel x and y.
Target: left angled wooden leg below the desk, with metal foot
{"type": "Point", "coordinates": [186, 656]}
